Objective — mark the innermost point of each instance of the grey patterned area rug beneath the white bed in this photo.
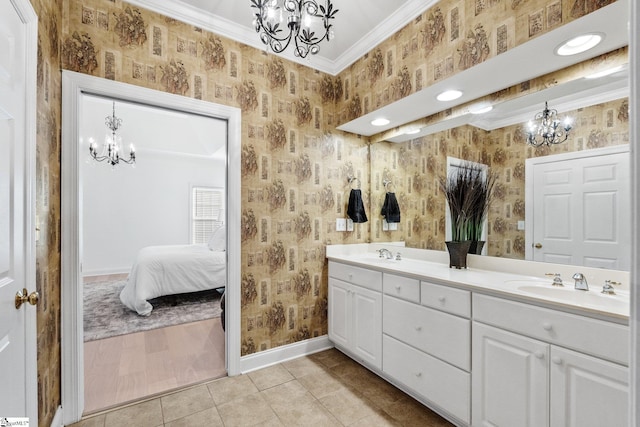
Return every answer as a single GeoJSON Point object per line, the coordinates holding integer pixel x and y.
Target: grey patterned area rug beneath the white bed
{"type": "Point", "coordinates": [105, 316]}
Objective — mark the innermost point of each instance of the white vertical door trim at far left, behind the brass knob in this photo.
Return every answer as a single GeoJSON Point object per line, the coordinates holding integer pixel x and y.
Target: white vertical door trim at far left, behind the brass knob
{"type": "Point", "coordinates": [29, 20]}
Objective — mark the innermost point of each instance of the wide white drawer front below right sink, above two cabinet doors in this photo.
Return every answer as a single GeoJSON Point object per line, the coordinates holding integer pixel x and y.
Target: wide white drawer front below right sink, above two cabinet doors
{"type": "Point", "coordinates": [596, 337]}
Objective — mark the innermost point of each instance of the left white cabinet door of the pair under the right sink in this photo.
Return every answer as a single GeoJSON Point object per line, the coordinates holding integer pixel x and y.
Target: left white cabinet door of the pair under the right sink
{"type": "Point", "coordinates": [510, 379]}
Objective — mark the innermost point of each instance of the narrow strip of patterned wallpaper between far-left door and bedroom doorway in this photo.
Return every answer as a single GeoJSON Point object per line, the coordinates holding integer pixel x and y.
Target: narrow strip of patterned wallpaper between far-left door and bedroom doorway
{"type": "Point", "coordinates": [48, 207]}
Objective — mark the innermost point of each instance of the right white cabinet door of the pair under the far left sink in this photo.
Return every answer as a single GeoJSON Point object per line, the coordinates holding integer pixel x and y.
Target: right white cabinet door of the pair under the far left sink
{"type": "Point", "coordinates": [367, 325]}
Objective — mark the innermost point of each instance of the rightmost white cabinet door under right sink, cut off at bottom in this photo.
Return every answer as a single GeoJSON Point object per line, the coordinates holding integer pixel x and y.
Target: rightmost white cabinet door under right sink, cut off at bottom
{"type": "Point", "coordinates": [587, 392]}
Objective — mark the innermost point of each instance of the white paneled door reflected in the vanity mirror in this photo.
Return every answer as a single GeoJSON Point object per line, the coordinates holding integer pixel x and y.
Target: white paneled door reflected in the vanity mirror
{"type": "Point", "coordinates": [581, 211]}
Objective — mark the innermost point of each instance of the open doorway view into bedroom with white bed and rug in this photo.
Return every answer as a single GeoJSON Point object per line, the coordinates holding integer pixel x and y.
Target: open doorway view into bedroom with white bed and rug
{"type": "Point", "coordinates": [153, 251]}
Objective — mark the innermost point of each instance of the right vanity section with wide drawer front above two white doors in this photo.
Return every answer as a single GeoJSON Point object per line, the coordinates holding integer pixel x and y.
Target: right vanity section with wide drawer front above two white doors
{"type": "Point", "coordinates": [523, 374]}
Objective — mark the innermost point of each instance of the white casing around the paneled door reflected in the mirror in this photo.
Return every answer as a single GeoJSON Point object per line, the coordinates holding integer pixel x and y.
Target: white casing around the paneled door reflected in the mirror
{"type": "Point", "coordinates": [528, 190]}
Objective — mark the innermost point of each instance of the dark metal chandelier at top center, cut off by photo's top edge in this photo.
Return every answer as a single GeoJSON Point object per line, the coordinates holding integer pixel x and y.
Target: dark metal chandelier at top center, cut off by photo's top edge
{"type": "Point", "coordinates": [306, 22]}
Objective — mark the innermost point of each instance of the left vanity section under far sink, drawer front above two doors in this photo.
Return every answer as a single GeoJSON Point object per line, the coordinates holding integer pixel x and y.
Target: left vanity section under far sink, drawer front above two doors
{"type": "Point", "coordinates": [355, 312]}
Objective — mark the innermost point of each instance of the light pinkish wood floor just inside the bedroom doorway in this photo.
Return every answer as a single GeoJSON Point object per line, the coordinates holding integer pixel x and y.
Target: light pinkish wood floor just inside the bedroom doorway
{"type": "Point", "coordinates": [130, 367]}
